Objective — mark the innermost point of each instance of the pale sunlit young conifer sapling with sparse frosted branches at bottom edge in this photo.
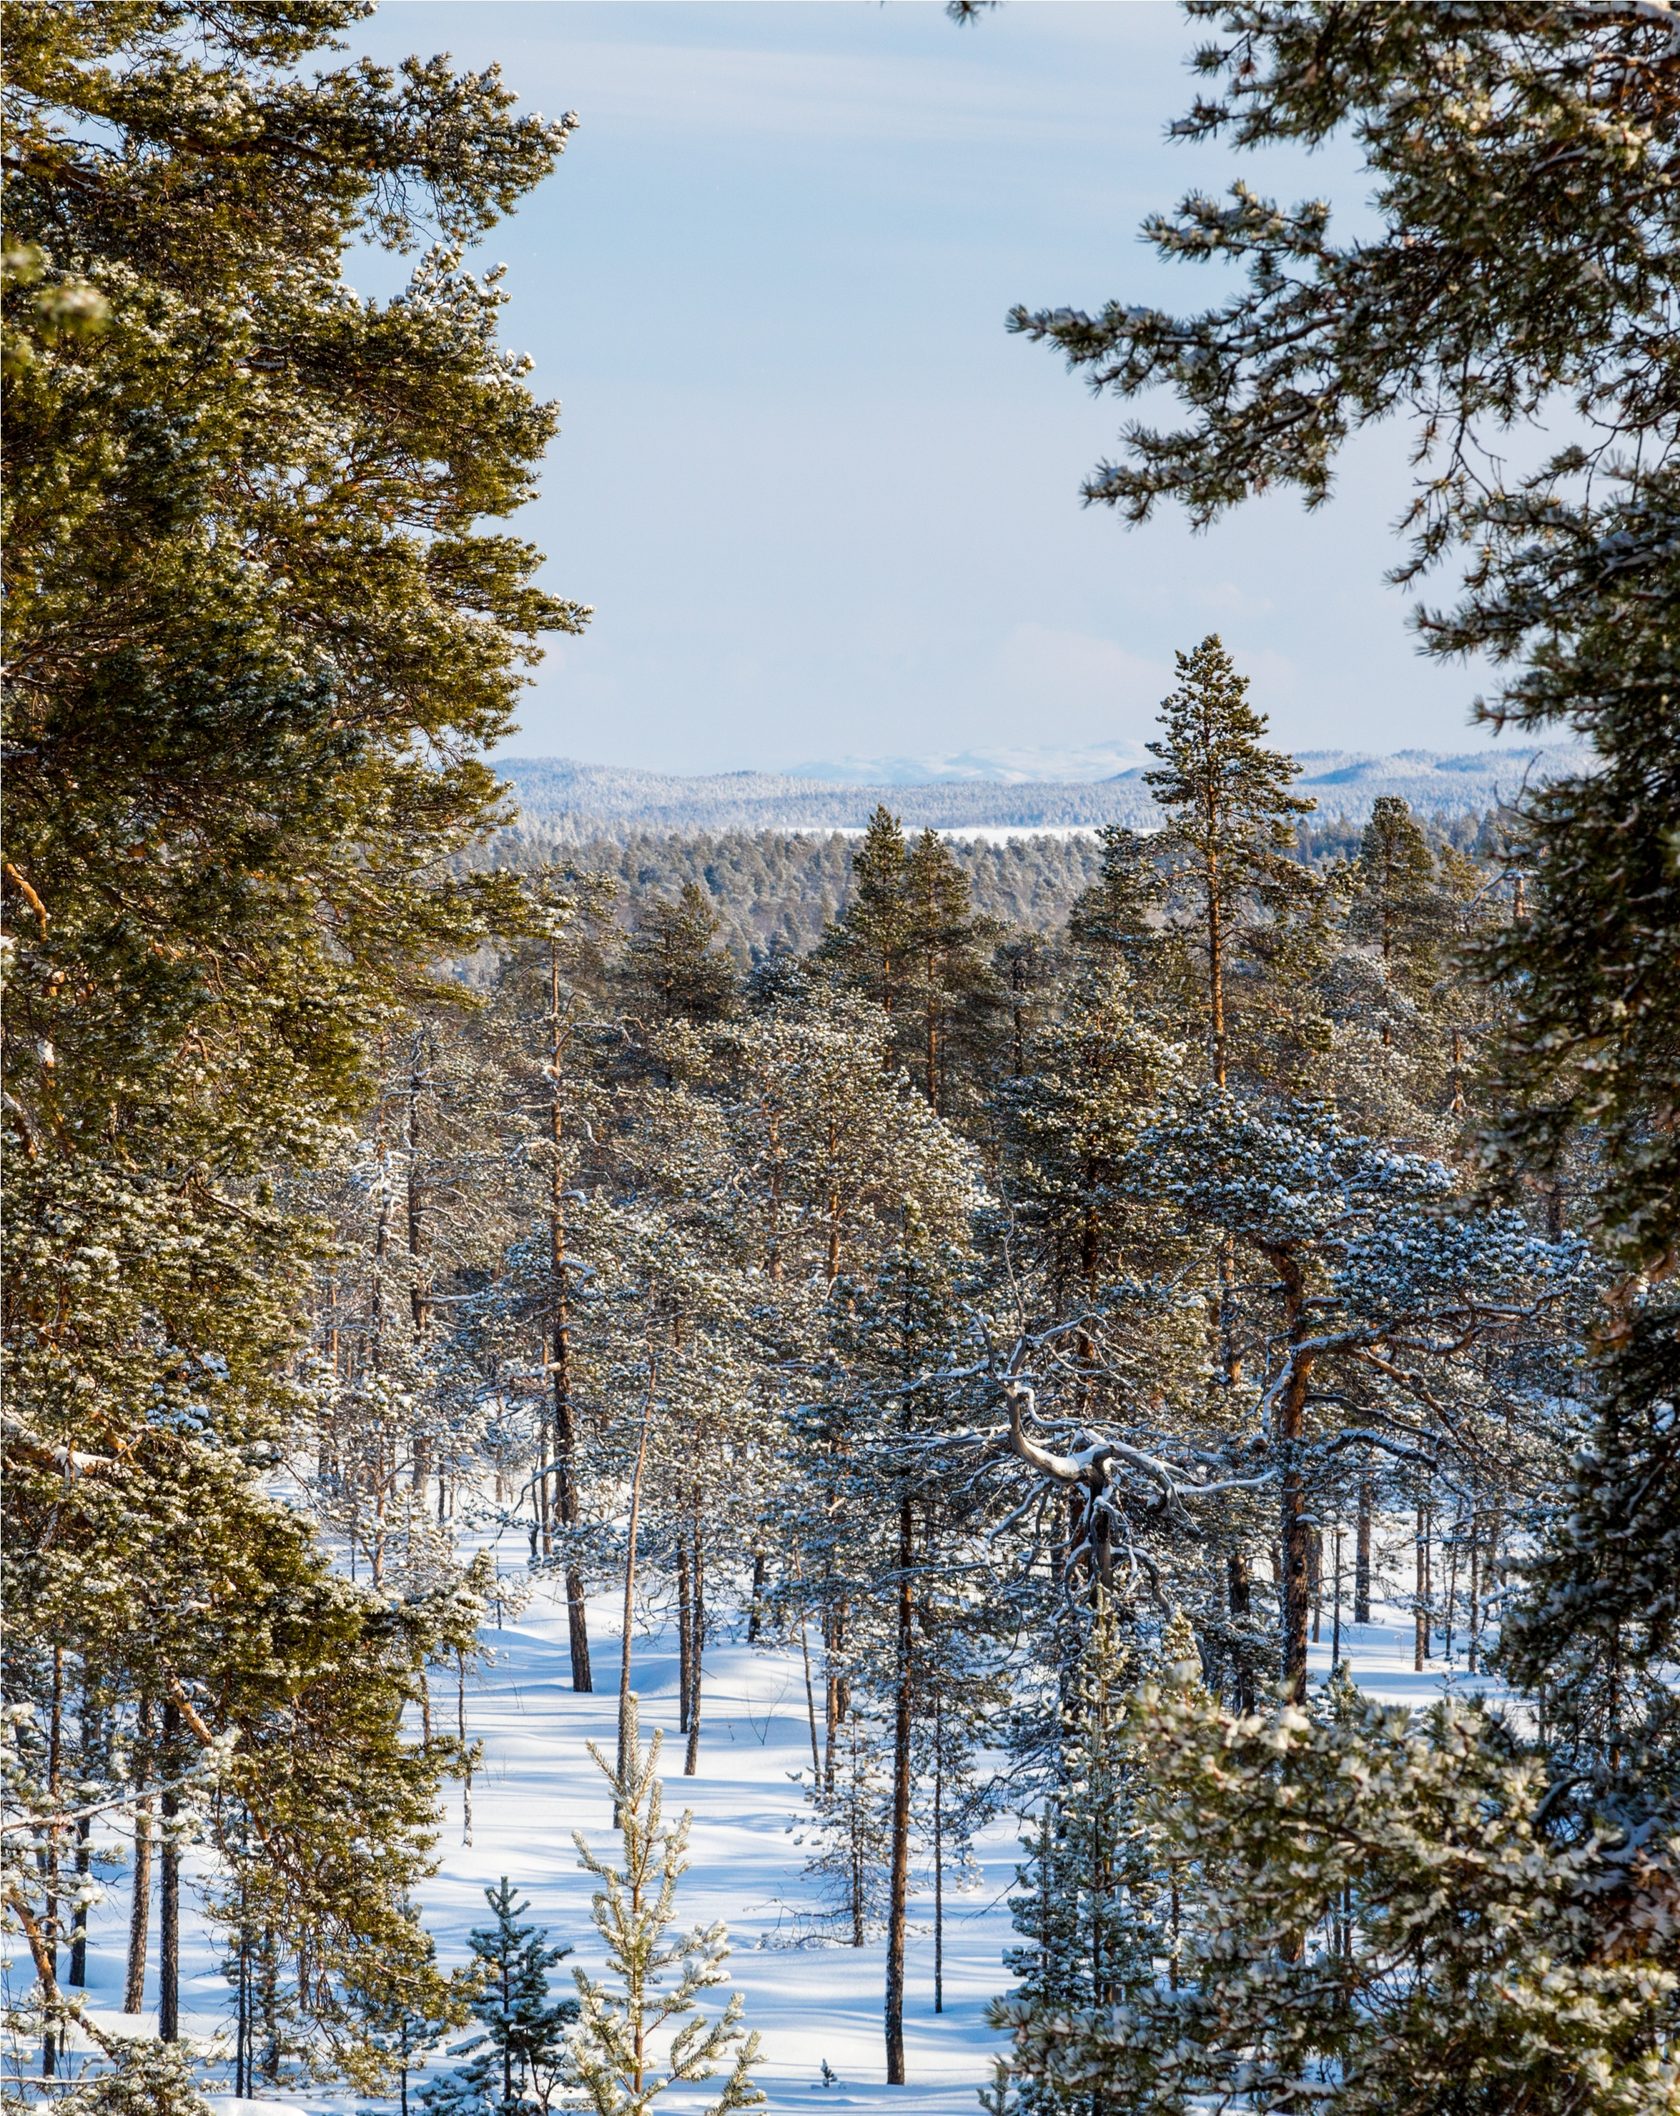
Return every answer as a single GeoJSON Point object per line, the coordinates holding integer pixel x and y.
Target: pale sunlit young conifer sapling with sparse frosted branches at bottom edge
{"type": "Point", "coordinates": [644, 2032]}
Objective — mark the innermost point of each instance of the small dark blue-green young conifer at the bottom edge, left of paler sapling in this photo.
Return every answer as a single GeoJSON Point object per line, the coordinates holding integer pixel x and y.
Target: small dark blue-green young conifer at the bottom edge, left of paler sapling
{"type": "Point", "coordinates": [519, 2058]}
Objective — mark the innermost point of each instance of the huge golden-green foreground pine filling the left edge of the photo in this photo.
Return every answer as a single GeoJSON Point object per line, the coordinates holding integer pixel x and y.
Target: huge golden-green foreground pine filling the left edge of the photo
{"type": "Point", "coordinates": [240, 769]}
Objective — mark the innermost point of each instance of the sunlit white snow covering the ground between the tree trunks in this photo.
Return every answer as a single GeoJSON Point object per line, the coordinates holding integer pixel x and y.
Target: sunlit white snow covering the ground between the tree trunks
{"type": "Point", "coordinates": [811, 2003]}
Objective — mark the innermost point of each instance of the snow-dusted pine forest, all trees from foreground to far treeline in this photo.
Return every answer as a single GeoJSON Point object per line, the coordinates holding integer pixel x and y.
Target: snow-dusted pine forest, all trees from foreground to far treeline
{"type": "Point", "coordinates": [1053, 1296]}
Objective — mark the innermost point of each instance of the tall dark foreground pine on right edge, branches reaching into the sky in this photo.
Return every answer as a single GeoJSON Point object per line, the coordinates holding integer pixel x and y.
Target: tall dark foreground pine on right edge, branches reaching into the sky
{"type": "Point", "coordinates": [1558, 124]}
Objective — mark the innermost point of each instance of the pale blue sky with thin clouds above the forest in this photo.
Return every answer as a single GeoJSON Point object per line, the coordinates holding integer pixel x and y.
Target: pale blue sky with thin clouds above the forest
{"type": "Point", "coordinates": [818, 496]}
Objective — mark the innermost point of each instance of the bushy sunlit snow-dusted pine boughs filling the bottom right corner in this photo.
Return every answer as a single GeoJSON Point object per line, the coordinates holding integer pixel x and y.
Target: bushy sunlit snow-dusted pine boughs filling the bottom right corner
{"type": "Point", "coordinates": [1372, 1897]}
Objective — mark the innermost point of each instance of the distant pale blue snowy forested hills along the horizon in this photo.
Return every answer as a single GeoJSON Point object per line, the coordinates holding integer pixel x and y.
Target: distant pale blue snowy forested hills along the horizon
{"type": "Point", "coordinates": [568, 801]}
